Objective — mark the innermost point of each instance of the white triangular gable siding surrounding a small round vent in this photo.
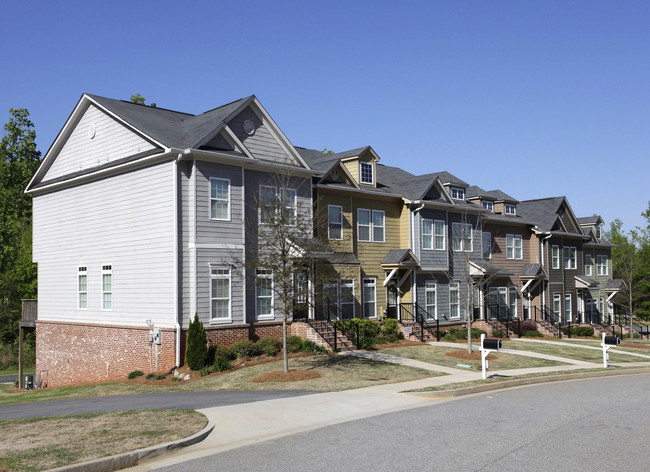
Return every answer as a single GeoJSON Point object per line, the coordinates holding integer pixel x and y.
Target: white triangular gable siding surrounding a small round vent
{"type": "Point", "coordinates": [112, 141]}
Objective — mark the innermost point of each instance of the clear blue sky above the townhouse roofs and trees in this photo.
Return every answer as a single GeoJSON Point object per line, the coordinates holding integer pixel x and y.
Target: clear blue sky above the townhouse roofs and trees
{"type": "Point", "coordinates": [537, 99]}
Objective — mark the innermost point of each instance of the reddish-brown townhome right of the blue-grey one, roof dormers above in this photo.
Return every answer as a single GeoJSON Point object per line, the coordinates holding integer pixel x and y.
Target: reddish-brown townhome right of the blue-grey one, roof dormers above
{"type": "Point", "coordinates": [507, 244]}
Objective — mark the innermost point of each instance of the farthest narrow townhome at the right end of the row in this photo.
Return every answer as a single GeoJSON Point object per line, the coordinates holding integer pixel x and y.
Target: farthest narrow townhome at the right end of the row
{"type": "Point", "coordinates": [597, 255]}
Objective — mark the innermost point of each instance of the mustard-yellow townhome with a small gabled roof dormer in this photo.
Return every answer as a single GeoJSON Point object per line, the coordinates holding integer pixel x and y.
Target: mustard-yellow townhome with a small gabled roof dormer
{"type": "Point", "coordinates": [362, 220]}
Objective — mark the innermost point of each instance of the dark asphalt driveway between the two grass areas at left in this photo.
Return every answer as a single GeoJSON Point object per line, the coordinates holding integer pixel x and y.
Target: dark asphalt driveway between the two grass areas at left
{"type": "Point", "coordinates": [192, 400]}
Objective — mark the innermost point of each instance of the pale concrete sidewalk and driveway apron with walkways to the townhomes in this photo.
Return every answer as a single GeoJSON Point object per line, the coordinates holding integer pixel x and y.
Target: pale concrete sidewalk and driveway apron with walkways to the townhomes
{"type": "Point", "coordinates": [240, 425]}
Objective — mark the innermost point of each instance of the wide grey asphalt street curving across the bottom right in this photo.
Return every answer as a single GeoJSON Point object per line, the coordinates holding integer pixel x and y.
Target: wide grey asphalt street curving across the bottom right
{"type": "Point", "coordinates": [586, 425]}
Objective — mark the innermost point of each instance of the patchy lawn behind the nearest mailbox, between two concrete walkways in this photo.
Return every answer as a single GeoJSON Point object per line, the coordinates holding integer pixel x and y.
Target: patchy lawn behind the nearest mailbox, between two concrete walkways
{"type": "Point", "coordinates": [439, 355]}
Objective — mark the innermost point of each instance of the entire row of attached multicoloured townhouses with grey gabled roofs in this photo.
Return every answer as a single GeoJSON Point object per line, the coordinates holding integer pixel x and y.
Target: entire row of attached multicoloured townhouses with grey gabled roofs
{"type": "Point", "coordinates": [144, 217]}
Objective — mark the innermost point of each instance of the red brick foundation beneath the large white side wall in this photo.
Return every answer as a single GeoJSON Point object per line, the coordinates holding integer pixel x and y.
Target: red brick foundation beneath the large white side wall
{"type": "Point", "coordinates": [83, 353]}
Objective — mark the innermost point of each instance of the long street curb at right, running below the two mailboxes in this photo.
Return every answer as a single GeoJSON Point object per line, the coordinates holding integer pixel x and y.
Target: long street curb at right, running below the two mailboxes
{"type": "Point", "coordinates": [529, 381]}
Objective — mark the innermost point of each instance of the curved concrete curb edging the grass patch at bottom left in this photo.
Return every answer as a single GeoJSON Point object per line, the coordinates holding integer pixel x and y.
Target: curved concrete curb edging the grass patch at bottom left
{"type": "Point", "coordinates": [133, 458]}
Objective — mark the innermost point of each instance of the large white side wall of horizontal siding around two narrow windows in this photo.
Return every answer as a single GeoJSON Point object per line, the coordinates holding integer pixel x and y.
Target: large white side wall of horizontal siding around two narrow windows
{"type": "Point", "coordinates": [125, 221]}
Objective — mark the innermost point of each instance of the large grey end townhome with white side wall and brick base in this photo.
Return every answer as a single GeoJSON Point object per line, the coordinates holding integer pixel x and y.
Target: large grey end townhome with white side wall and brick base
{"type": "Point", "coordinates": [145, 216]}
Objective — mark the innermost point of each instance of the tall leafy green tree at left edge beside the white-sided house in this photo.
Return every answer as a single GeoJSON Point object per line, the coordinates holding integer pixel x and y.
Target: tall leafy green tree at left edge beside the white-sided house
{"type": "Point", "coordinates": [19, 160]}
